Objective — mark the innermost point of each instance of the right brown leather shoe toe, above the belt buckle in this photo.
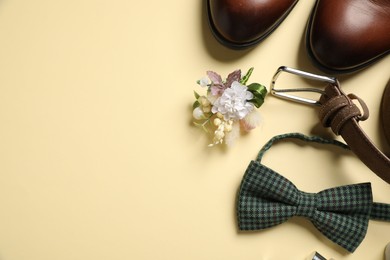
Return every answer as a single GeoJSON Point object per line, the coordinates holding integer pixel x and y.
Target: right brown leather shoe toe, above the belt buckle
{"type": "Point", "coordinates": [347, 35]}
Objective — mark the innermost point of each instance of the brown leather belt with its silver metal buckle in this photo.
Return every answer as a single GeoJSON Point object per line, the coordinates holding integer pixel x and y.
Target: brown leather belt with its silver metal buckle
{"type": "Point", "coordinates": [338, 111]}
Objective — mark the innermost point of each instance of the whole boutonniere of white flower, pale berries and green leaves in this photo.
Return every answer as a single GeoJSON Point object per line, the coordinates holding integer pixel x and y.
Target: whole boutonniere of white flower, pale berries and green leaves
{"type": "Point", "coordinates": [228, 107]}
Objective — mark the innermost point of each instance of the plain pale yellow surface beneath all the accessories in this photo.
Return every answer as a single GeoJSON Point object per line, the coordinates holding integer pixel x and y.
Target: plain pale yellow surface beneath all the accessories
{"type": "Point", "coordinates": [98, 155]}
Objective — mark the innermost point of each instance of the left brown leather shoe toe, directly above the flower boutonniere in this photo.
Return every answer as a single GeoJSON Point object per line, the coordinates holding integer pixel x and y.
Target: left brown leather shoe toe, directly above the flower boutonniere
{"type": "Point", "coordinates": [240, 24]}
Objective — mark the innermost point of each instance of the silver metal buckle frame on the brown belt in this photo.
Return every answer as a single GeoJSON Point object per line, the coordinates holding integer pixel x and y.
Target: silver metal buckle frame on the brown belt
{"type": "Point", "coordinates": [286, 93]}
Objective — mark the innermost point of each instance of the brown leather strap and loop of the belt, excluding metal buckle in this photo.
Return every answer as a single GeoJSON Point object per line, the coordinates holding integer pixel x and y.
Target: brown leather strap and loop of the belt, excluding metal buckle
{"type": "Point", "coordinates": [330, 114]}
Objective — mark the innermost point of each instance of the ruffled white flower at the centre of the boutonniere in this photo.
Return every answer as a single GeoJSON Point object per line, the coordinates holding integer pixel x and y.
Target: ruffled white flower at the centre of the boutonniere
{"type": "Point", "coordinates": [233, 102]}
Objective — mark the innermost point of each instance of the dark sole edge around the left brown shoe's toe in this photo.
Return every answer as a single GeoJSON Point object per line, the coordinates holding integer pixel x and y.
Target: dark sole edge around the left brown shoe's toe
{"type": "Point", "coordinates": [246, 45]}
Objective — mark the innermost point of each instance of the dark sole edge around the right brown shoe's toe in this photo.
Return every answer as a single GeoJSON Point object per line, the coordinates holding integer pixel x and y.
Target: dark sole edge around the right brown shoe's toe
{"type": "Point", "coordinates": [328, 69]}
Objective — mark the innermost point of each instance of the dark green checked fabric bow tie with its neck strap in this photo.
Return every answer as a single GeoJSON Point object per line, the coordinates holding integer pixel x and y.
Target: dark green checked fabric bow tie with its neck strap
{"type": "Point", "coordinates": [267, 199]}
